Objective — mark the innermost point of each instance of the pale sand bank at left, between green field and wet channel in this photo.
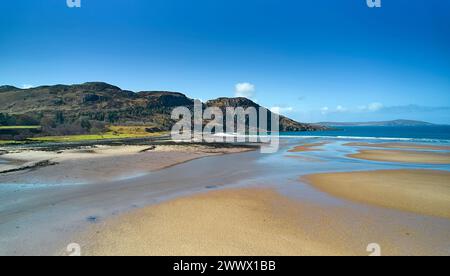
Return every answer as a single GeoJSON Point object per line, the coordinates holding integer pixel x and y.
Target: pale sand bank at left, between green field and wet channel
{"type": "Point", "coordinates": [98, 163]}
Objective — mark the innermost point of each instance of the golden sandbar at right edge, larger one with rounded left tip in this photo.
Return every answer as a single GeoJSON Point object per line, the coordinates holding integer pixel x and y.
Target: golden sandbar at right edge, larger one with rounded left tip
{"type": "Point", "coordinates": [425, 192]}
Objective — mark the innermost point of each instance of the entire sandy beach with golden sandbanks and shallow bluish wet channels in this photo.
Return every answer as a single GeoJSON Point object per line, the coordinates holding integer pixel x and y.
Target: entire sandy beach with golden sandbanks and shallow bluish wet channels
{"type": "Point", "coordinates": [149, 200]}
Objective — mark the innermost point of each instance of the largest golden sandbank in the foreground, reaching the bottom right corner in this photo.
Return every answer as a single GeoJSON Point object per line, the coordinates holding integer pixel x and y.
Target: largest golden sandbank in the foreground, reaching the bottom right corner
{"type": "Point", "coordinates": [260, 222]}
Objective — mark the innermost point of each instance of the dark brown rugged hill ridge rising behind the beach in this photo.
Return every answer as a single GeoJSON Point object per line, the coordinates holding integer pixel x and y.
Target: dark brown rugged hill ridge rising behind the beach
{"type": "Point", "coordinates": [103, 102]}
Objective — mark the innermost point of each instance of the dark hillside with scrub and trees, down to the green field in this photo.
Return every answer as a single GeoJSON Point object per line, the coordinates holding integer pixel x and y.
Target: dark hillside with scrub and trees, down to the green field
{"type": "Point", "coordinates": [96, 107]}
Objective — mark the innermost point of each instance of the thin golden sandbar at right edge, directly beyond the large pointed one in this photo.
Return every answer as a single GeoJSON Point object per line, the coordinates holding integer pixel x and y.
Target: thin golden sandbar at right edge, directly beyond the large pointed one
{"type": "Point", "coordinates": [403, 156]}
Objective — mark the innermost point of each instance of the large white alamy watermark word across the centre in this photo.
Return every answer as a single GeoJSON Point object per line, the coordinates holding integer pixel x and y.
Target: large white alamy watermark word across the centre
{"type": "Point", "coordinates": [237, 125]}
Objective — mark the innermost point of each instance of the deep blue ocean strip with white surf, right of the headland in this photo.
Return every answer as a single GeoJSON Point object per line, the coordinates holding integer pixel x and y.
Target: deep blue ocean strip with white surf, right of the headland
{"type": "Point", "coordinates": [438, 134]}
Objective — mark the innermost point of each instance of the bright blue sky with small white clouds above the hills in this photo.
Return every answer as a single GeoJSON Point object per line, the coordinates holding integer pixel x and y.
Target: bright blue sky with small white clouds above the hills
{"type": "Point", "coordinates": [318, 60]}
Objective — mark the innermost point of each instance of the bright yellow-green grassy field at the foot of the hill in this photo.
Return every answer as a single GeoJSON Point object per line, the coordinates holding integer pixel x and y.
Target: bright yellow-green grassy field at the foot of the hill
{"type": "Point", "coordinates": [114, 132]}
